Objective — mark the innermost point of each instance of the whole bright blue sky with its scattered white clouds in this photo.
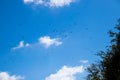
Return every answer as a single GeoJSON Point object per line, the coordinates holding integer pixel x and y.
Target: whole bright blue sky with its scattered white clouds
{"type": "Point", "coordinates": [53, 39]}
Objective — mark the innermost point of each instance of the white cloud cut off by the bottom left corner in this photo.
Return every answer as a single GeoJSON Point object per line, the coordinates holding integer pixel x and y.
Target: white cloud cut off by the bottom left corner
{"type": "Point", "coordinates": [6, 76]}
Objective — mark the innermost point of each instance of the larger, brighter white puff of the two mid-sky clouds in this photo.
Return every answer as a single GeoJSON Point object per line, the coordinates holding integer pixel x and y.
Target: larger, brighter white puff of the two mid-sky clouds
{"type": "Point", "coordinates": [47, 41]}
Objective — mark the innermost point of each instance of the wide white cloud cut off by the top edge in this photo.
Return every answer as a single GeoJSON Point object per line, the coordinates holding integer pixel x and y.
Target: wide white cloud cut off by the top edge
{"type": "Point", "coordinates": [51, 3]}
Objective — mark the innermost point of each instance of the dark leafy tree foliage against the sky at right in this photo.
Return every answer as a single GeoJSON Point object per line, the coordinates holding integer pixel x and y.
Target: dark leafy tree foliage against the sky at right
{"type": "Point", "coordinates": [108, 68]}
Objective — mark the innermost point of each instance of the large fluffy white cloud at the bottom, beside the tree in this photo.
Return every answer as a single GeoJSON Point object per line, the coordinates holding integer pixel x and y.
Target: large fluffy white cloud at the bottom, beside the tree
{"type": "Point", "coordinates": [66, 73]}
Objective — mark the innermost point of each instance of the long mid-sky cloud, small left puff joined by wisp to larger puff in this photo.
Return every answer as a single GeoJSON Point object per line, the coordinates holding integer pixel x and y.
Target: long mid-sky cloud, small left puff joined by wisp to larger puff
{"type": "Point", "coordinates": [46, 41]}
